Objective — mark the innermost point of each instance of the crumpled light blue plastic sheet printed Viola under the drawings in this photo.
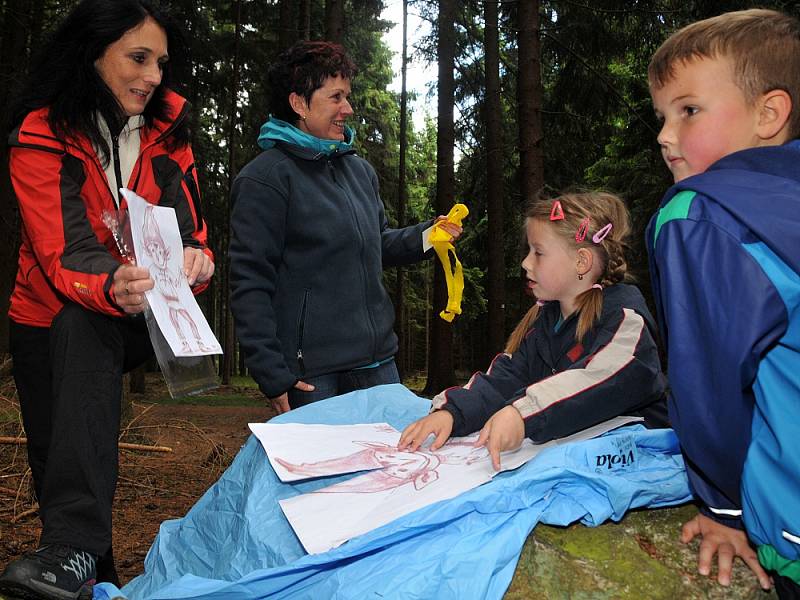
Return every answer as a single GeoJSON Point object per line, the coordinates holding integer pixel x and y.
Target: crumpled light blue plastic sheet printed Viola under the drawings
{"type": "Point", "coordinates": [235, 543]}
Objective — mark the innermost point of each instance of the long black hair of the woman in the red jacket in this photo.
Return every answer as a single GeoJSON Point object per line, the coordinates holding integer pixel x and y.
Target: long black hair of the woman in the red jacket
{"type": "Point", "coordinates": [63, 76]}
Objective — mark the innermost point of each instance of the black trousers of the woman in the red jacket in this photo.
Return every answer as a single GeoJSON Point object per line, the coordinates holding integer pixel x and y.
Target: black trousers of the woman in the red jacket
{"type": "Point", "coordinates": [69, 382]}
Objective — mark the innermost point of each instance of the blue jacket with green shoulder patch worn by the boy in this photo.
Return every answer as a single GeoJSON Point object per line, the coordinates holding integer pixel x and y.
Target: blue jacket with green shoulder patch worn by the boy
{"type": "Point", "coordinates": [725, 263]}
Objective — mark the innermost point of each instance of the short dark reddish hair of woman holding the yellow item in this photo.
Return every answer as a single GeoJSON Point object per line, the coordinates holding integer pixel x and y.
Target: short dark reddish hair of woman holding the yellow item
{"type": "Point", "coordinates": [303, 69]}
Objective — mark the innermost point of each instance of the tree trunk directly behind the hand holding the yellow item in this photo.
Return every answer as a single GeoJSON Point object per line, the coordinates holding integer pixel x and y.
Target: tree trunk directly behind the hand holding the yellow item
{"type": "Point", "coordinates": [440, 358]}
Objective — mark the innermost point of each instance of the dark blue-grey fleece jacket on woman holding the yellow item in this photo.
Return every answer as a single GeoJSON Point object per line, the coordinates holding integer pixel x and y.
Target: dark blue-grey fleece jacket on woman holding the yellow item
{"type": "Point", "coordinates": [309, 241]}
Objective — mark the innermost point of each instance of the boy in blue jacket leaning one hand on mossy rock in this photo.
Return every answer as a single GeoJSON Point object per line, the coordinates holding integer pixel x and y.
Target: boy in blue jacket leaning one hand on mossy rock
{"type": "Point", "coordinates": [725, 262]}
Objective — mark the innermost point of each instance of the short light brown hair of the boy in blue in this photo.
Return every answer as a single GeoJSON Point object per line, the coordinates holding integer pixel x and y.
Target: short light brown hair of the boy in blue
{"type": "Point", "coordinates": [764, 46]}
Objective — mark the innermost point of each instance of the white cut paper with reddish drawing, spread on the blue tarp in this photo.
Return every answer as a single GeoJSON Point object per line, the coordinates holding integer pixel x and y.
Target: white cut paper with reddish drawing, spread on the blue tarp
{"type": "Point", "coordinates": [397, 482]}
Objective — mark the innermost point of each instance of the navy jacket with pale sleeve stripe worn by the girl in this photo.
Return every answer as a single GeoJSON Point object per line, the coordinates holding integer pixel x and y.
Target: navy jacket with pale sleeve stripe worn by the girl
{"type": "Point", "coordinates": [560, 386]}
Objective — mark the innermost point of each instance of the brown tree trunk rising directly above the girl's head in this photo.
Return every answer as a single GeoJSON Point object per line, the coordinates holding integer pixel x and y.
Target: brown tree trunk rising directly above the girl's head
{"type": "Point", "coordinates": [529, 100]}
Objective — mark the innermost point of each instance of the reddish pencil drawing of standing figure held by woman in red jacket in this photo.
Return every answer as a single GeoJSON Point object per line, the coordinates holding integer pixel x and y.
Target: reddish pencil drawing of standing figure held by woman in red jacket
{"type": "Point", "coordinates": [168, 279]}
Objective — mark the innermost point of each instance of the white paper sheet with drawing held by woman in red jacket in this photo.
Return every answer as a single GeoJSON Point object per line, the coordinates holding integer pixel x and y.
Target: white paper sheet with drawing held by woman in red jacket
{"type": "Point", "coordinates": [158, 247]}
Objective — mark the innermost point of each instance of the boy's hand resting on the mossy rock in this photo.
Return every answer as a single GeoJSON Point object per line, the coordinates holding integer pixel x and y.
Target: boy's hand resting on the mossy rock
{"type": "Point", "coordinates": [726, 543]}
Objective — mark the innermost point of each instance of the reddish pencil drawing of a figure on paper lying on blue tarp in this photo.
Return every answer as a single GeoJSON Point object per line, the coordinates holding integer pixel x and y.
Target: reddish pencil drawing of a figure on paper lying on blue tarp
{"type": "Point", "coordinates": [392, 467]}
